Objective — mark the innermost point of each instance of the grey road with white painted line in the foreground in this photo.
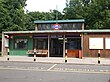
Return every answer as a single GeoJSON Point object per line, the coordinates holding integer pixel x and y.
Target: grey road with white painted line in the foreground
{"type": "Point", "coordinates": [49, 72]}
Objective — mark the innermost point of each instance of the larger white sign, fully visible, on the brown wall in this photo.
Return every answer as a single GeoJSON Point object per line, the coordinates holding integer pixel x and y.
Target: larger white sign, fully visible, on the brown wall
{"type": "Point", "coordinates": [95, 43]}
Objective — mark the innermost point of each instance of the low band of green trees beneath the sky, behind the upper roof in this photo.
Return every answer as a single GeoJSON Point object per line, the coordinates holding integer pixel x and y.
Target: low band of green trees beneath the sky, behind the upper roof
{"type": "Point", "coordinates": [46, 15]}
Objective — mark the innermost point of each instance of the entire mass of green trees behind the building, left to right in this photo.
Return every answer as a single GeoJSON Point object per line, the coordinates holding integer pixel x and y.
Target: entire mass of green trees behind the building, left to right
{"type": "Point", "coordinates": [95, 12]}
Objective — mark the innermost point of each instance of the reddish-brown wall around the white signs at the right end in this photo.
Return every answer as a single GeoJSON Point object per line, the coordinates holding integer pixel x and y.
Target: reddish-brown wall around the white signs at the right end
{"type": "Point", "coordinates": [105, 53]}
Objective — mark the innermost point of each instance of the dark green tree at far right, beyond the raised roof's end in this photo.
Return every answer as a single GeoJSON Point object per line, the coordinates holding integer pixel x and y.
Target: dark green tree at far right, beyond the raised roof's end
{"type": "Point", "coordinates": [98, 14]}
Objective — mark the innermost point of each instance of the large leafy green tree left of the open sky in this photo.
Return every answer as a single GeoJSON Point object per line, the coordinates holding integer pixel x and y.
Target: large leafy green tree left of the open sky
{"type": "Point", "coordinates": [12, 15]}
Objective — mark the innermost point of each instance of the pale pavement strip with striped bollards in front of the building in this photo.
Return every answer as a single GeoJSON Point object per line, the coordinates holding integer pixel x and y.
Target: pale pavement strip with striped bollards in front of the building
{"type": "Point", "coordinates": [84, 60]}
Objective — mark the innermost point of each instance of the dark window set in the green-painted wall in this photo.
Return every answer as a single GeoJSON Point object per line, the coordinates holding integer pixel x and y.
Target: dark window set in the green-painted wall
{"type": "Point", "coordinates": [20, 43]}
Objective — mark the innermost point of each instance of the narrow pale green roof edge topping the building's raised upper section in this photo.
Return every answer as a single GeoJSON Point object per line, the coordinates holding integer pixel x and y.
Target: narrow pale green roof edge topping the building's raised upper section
{"type": "Point", "coordinates": [58, 21]}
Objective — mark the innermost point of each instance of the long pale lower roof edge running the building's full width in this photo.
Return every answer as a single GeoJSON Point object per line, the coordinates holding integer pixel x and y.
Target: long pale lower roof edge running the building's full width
{"type": "Point", "coordinates": [57, 31]}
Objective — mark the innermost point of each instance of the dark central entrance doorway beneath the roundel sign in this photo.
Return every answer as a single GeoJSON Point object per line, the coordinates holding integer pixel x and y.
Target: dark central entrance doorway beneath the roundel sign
{"type": "Point", "coordinates": [56, 47]}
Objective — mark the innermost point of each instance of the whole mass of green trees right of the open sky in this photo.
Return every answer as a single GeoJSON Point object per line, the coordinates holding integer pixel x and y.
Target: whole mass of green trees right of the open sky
{"type": "Point", "coordinates": [95, 12]}
